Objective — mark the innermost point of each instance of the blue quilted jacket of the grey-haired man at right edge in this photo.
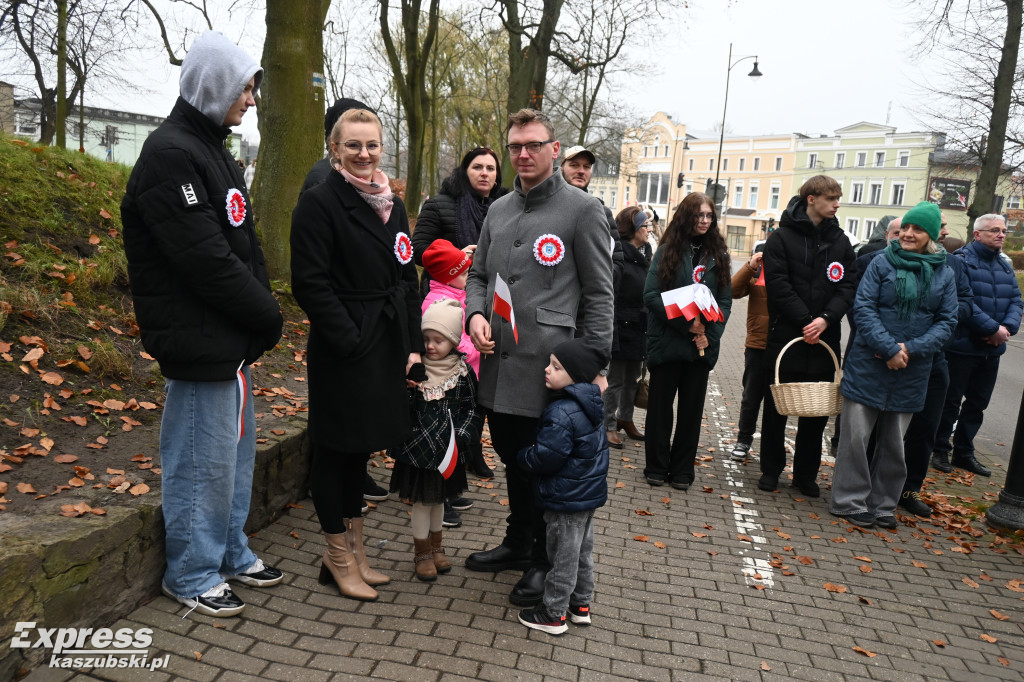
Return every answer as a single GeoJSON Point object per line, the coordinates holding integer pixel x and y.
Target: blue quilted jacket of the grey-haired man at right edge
{"type": "Point", "coordinates": [997, 302]}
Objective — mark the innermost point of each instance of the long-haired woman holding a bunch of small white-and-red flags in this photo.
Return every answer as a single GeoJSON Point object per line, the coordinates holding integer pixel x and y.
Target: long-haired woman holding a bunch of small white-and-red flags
{"type": "Point", "coordinates": [681, 354]}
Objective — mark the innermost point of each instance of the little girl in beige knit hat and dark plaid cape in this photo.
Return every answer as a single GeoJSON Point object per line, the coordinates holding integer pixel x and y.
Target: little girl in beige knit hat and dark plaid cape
{"type": "Point", "coordinates": [429, 470]}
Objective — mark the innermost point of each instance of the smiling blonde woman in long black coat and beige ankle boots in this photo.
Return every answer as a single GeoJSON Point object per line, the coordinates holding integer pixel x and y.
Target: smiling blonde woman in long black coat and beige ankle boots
{"type": "Point", "coordinates": [354, 275]}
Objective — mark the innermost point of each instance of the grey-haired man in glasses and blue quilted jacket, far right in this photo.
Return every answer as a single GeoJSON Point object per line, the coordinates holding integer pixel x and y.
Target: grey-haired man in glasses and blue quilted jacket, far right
{"type": "Point", "coordinates": [973, 356]}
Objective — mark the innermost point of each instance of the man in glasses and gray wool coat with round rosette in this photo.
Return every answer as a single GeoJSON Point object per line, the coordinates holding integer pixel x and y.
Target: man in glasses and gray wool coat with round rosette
{"type": "Point", "coordinates": [549, 243]}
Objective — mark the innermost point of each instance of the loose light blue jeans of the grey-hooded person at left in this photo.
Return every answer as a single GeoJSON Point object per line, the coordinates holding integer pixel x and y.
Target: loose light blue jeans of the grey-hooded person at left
{"type": "Point", "coordinates": [207, 482]}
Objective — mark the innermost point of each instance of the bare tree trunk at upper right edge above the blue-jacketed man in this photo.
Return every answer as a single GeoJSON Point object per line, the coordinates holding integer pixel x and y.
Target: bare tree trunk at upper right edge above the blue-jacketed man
{"type": "Point", "coordinates": [992, 163]}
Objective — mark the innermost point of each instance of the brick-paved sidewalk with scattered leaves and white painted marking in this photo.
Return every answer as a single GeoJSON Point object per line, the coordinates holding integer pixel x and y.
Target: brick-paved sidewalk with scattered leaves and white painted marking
{"type": "Point", "coordinates": [721, 582]}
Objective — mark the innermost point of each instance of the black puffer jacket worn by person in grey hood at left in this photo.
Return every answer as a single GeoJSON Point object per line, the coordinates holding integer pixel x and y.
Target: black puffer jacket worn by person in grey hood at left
{"type": "Point", "coordinates": [197, 272]}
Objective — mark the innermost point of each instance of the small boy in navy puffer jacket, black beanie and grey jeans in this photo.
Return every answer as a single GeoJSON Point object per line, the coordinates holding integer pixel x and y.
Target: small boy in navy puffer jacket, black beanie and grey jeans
{"type": "Point", "coordinates": [570, 467]}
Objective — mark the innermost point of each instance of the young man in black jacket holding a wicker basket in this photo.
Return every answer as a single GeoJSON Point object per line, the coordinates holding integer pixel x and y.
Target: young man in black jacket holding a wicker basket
{"type": "Point", "coordinates": [810, 285]}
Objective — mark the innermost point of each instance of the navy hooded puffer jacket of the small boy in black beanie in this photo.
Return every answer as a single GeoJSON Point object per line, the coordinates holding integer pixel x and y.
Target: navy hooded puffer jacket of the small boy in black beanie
{"type": "Point", "coordinates": [570, 459]}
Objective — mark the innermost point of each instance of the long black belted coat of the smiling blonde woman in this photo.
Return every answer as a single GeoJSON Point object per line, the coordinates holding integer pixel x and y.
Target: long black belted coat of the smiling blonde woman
{"type": "Point", "coordinates": [365, 317]}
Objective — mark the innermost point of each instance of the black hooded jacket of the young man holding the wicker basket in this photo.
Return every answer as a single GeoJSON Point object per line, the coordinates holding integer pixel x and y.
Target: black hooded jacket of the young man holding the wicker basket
{"type": "Point", "coordinates": [802, 283]}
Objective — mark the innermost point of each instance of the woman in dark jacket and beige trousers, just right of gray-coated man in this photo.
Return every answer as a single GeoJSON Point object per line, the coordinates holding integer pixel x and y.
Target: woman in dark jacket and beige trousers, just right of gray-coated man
{"type": "Point", "coordinates": [631, 326]}
